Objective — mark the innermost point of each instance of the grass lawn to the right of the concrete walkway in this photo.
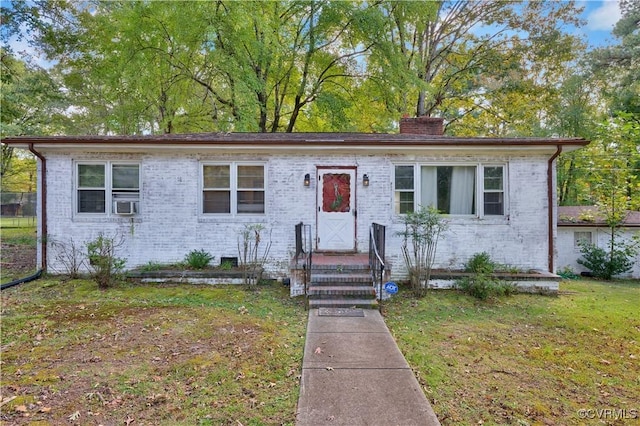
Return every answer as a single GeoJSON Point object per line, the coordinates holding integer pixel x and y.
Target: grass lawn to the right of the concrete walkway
{"type": "Point", "coordinates": [527, 359]}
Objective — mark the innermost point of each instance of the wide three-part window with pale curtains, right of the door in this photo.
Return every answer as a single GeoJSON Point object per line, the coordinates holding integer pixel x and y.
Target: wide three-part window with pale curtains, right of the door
{"type": "Point", "coordinates": [452, 189]}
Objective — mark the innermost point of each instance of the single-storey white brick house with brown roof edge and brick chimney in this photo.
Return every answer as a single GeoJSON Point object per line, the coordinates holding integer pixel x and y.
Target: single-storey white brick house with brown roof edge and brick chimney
{"type": "Point", "coordinates": [167, 195]}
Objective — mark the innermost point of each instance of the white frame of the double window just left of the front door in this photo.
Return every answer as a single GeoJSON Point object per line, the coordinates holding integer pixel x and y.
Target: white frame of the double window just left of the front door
{"type": "Point", "coordinates": [233, 187]}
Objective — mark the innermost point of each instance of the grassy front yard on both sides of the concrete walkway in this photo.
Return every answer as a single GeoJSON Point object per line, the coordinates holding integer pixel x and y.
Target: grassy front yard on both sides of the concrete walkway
{"type": "Point", "coordinates": [143, 354]}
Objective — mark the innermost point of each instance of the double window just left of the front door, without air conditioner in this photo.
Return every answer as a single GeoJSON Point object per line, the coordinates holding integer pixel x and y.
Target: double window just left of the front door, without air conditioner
{"type": "Point", "coordinates": [233, 188]}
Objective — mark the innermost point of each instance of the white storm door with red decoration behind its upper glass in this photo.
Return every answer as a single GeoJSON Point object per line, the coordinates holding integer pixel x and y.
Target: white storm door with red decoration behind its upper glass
{"type": "Point", "coordinates": [336, 209]}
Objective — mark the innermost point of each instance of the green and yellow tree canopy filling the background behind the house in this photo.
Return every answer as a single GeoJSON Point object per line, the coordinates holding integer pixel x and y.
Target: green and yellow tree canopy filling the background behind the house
{"type": "Point", "coordinates": [489, 68]}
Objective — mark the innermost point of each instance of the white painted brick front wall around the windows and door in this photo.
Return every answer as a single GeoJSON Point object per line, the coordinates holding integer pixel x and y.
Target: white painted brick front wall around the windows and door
{"type": "Point", "coordinates": [169, 224]}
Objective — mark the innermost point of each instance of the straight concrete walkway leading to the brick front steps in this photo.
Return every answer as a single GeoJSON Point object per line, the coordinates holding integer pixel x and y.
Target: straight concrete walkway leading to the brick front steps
{"type": "Point", "coordinates": [354, 374]}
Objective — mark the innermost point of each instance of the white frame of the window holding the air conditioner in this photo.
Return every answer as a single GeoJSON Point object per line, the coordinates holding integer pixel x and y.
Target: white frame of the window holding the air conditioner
{"type": "Point", "coordinates": [110, 194]}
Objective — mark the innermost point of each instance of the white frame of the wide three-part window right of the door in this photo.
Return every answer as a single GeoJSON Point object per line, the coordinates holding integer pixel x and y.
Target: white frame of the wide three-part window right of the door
{"type": "Point", "coordinates": [479, 186]}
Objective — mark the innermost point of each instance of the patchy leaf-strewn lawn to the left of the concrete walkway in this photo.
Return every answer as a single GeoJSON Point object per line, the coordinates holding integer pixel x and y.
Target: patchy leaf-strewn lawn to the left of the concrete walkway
{"type": "Point", "coordinates": [150, 354]}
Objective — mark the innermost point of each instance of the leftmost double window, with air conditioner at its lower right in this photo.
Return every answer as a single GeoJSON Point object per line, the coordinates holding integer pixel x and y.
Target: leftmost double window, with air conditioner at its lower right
{"type": "Point", "coordinates": [105, 184]}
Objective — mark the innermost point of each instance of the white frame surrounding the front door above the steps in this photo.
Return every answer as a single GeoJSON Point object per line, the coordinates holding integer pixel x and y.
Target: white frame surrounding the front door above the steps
{"type": "Point", "coordinates": [320, 171]}
